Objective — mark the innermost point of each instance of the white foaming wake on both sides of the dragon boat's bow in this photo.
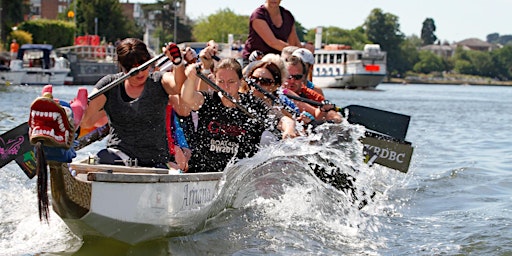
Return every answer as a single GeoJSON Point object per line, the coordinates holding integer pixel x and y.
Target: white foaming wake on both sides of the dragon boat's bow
{"type": "Point", "coordinates": [272, 202]}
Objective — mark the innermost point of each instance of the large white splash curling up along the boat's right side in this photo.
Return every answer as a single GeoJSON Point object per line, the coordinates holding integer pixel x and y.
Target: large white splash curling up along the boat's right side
{"type": "Point", "coordinates": [275, 199]}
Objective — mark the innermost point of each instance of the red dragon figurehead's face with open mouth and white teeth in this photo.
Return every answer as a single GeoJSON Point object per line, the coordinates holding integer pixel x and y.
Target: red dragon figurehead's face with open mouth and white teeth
{"type": "Point", "coordinates": [49, 122]}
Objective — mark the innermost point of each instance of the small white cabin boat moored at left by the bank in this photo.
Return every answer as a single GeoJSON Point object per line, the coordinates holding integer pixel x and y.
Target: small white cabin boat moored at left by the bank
{"type": "Point", "coordinates": [36, 64]}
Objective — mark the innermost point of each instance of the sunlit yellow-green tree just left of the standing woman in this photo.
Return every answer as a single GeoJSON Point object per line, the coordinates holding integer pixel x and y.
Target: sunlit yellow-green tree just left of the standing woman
{"type": "Point", "coordinates": [218, 25]}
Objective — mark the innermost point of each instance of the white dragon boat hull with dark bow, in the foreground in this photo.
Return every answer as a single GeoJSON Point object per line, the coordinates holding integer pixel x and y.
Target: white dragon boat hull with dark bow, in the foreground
{"type": "Point", "coordinates": [133, 207]}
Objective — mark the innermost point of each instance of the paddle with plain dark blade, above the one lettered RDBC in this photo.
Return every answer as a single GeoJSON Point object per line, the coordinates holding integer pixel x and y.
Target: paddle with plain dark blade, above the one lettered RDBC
{"type": "Point", "coordinates": [386, 122]}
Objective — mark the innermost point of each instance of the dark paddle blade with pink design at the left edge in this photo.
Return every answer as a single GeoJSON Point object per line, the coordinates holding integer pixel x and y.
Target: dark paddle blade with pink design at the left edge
{"type": "Point", "coordinates": [14, 143]}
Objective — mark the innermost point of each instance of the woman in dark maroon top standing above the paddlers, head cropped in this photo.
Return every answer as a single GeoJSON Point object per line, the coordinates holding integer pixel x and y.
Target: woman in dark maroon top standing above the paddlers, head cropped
{"type": "Point", "coordinates": [271, 28]}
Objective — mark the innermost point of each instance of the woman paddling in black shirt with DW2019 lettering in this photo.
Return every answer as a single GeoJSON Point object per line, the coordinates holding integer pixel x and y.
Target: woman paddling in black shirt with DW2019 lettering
{"type": "Point", "coordinates": [225, 131]}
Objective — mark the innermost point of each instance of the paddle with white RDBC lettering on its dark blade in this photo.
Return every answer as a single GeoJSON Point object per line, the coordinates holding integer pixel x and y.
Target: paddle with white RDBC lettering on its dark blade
{"type": "Point", "coordinates": [378, 148]}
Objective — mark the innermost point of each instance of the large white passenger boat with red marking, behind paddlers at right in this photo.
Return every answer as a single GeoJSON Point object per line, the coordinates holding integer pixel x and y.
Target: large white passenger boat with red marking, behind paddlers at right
{"type": "Point", "coordinates": [351, 69]}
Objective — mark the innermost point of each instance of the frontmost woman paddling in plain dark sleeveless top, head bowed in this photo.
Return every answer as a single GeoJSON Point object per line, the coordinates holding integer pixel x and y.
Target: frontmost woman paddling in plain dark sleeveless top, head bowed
{"type": "Point", "coordinates": [136, 109]}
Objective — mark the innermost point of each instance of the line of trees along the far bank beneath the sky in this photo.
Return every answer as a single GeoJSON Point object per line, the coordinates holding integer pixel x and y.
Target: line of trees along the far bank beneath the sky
{"type": "Point", "coordinates": [404, 56]}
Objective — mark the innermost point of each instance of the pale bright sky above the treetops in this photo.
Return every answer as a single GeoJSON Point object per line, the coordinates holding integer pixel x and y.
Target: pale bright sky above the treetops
{"type": "Point", "coordinates": [455, 20]}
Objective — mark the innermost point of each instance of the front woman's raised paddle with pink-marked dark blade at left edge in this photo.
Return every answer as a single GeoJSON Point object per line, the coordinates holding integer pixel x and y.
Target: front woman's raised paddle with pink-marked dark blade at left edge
{"type": "Point", "coordinates": [16, 144]}
